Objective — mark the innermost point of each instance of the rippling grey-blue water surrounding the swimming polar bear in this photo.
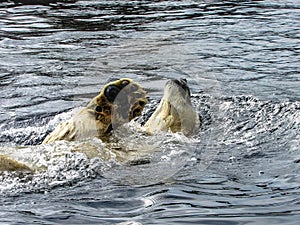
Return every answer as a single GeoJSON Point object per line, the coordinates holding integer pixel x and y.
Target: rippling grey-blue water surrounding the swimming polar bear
{"type": "Point", "coordinates": [241, 59]}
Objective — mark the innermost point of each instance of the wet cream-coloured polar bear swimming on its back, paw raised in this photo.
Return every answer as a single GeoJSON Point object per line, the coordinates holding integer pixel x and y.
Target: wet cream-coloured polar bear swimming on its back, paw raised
{"type": "Point", "coordinates": [101, 115]}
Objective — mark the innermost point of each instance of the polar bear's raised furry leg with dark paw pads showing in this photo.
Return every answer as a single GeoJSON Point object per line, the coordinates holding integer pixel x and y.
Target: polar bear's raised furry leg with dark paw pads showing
{"type": "Point", "coordinates": [100, 115]}
